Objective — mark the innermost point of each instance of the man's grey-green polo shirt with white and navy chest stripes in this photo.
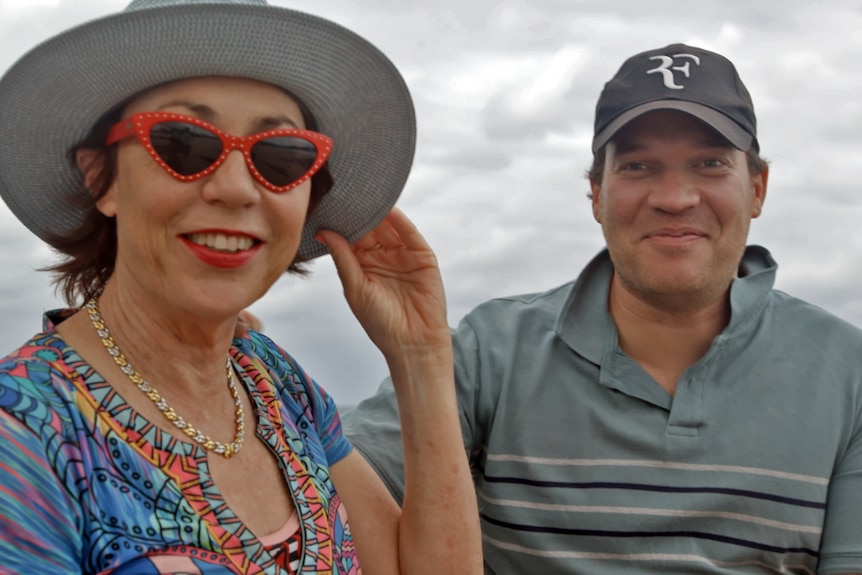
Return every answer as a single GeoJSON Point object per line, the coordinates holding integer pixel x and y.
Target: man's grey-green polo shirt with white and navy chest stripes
{"type": "Point", "coordinates": [584, 464]}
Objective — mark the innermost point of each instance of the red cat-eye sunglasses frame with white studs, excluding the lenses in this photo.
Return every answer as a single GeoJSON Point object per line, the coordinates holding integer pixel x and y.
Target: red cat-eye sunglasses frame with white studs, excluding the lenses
{"type": "Point", "coordinates": [140, 124]}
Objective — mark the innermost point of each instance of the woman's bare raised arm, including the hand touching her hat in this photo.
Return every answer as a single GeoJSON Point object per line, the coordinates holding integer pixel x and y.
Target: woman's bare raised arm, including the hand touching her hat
{"type": "Point", "coordinates": [392, 284]}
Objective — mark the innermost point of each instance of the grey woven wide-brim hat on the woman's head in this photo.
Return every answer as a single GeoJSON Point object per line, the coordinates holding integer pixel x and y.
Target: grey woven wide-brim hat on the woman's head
{"type": "Point", "coordinates": [51, 98]}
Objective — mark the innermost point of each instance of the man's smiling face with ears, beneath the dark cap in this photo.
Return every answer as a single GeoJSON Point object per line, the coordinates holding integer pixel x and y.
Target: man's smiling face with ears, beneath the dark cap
{"type": "Point", "coordinates": [675, 204]}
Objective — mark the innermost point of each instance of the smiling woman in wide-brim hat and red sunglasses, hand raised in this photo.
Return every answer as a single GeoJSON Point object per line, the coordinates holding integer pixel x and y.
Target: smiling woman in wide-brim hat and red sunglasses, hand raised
{"type": "Point", "coordinates": [138, 435]}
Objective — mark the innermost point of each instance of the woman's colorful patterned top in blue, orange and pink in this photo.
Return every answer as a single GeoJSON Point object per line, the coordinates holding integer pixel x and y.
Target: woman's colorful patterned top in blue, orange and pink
{"type": "Point", "coordinates": [90, 486]}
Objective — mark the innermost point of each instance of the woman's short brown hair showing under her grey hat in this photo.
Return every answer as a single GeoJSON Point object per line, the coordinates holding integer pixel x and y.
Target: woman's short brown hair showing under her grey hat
{"type": "Point", "coordinates": [90, 250]}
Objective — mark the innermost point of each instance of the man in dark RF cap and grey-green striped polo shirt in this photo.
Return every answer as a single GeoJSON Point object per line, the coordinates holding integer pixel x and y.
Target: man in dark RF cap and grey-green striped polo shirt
{"type": "Point", "coordinates": [667, 411]}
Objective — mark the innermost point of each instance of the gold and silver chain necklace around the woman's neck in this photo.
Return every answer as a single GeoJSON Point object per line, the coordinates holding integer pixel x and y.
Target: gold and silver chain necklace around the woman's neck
{"type": "Point", "coordinates": [205, 441]}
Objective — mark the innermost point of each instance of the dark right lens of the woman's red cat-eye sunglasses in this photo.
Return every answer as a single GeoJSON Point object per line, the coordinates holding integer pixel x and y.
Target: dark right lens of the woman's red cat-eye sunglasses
{"type": "Point", "coordinates": [283, 160]}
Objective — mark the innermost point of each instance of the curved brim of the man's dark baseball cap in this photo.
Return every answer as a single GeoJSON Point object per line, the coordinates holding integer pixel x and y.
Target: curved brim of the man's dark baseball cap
{"type": "Point", "coordinates": [730, 130]}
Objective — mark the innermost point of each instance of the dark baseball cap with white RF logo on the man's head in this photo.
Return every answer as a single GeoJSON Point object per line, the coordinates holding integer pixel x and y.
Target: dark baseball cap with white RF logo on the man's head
{"type": "Point", "coordinates": [678, 77]}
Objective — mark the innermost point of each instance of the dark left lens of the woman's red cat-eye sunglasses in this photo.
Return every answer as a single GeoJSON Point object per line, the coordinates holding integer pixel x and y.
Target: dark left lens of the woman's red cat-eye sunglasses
{"type": "Point", "coordinates": [186, 148]}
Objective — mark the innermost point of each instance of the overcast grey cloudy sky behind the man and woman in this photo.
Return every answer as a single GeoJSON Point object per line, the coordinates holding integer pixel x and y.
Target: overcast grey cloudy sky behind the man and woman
{"type": "Point", "coordinates": [505, 92]}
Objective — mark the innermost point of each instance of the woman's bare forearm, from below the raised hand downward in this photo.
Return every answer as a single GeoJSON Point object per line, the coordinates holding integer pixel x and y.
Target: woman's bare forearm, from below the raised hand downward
{"type": "Point", "coordinates": [439, 513]}
